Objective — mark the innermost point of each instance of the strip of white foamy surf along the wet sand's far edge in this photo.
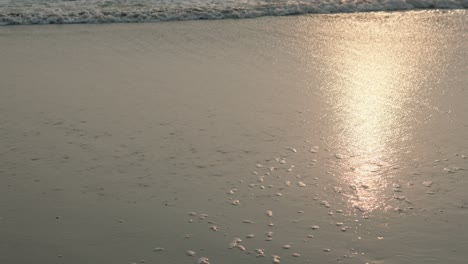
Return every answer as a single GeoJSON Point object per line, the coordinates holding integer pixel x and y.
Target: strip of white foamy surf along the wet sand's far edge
{"type": "Point", "coordinates": [127, 11]}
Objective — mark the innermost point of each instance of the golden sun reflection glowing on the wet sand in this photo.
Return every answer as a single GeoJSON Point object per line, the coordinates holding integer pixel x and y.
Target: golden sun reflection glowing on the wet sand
{"type": "Point", "coordinates": [369, 104]}
